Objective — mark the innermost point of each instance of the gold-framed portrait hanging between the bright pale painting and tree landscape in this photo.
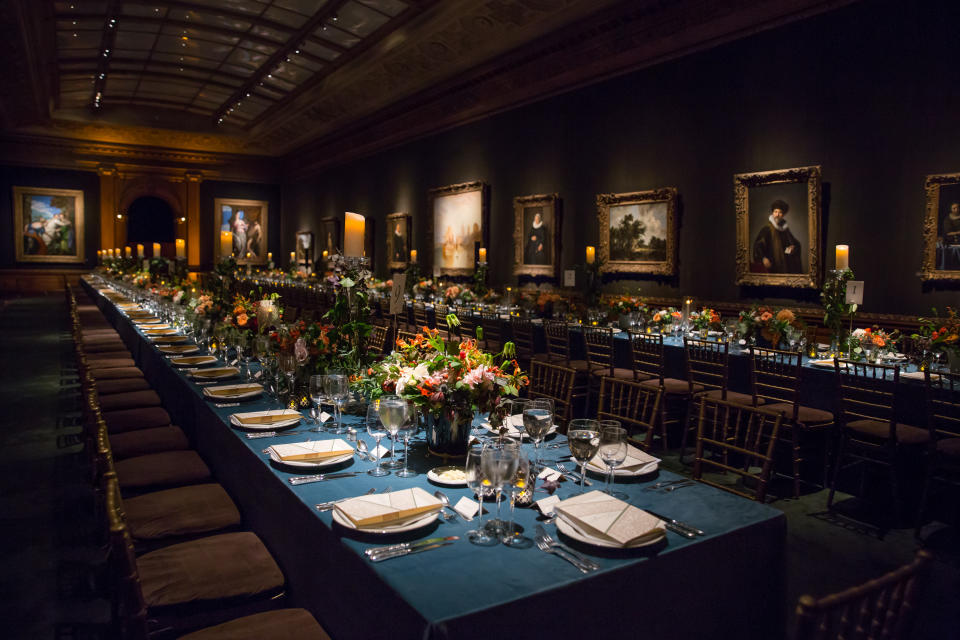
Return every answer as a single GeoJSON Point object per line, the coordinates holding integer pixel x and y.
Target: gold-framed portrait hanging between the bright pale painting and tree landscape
{"type": "Point", "coordinates": [536, 235]}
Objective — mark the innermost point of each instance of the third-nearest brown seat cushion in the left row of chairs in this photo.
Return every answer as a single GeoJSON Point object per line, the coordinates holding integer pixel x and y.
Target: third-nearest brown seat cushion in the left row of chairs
{"type": "Point", "coordinates": [200, 508]}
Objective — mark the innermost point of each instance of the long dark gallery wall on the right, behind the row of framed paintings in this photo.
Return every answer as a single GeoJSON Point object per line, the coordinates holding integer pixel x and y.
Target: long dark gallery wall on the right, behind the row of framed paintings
{"type": "Point", "coordinates": [868, 92]}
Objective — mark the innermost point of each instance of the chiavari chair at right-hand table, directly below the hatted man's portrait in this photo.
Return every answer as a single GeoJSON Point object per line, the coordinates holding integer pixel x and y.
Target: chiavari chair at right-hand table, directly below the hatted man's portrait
{"type": "Point", "coordinates": [775, 376]}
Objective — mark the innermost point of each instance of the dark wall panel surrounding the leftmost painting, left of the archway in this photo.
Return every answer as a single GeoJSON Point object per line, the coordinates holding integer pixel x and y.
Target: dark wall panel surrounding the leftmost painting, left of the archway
{"type": "Point", "coordinates": [17, 176]}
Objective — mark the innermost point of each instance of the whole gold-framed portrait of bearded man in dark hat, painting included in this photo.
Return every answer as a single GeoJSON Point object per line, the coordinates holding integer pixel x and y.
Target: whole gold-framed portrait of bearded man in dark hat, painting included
{"type": "Point", "coordinates": [777, 215]}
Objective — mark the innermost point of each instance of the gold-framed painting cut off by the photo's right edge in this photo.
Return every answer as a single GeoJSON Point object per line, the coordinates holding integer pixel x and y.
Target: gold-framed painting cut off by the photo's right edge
{"type": "Point", "coordinates": [941, 228]}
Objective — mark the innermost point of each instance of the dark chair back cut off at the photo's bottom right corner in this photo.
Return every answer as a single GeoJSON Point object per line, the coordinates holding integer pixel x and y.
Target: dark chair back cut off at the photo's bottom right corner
{"type": "Point", "coordinates": [880, 608]}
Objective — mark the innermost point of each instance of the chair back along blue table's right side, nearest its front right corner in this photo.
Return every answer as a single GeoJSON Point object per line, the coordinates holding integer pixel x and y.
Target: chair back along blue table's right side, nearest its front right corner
{"type": "Point", "coordinates": [737, 439]}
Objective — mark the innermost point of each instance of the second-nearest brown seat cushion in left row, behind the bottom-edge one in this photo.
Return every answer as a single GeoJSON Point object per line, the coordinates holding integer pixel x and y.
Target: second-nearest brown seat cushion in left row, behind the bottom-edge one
{"type": "Point", "coordinates": [223, 566]}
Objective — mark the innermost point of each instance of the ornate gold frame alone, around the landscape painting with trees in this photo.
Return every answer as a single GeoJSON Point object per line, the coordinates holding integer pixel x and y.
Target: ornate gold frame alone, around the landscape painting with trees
{"type": "Point", "coordinates": [666, 267]}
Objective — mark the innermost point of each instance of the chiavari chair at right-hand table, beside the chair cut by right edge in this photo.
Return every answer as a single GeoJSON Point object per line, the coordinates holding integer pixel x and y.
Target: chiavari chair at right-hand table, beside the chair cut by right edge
{"type": "Point", "coordinates": [870, 433]}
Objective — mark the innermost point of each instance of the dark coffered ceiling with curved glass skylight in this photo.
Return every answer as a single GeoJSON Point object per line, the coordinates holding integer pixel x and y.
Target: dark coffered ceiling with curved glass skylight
{"type": "Point", "coordinates": [323, 80]}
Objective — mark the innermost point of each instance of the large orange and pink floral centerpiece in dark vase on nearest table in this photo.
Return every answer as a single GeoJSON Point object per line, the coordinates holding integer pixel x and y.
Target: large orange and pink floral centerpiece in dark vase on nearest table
{"type": "Point", "coordinates": [447, 383]}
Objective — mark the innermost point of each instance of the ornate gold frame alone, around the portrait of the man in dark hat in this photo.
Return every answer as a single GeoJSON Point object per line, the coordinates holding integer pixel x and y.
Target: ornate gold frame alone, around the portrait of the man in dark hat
{"type": "Point", "coordinates": [742, 182]}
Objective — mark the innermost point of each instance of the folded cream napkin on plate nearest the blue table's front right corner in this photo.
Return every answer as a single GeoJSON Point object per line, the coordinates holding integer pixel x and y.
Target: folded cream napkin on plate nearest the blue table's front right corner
{"type": "Point", "coordinates": [610, 520]}
